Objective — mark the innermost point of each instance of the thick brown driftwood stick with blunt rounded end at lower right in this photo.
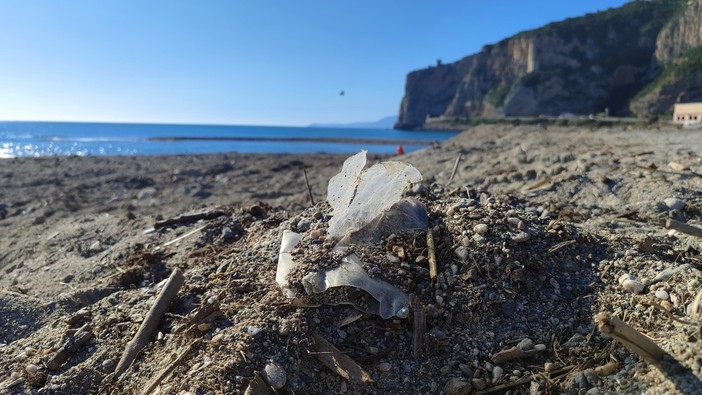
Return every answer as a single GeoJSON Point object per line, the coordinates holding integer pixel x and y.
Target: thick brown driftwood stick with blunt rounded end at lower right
{"type": "Point", "coordinates": [631, 338]}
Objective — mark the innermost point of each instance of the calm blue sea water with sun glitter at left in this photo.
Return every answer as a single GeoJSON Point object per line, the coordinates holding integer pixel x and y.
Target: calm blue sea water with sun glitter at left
{"type": "Point", "coordinates": [65, 138]}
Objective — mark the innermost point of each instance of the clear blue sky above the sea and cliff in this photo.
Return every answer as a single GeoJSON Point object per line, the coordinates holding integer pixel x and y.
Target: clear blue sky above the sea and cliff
{"type": "Point", "coordinates": [255, 62]}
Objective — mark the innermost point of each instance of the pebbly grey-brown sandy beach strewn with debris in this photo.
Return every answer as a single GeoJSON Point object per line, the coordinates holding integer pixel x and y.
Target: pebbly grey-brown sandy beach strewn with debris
{"type": "Point", "coordinates": [534, 228]}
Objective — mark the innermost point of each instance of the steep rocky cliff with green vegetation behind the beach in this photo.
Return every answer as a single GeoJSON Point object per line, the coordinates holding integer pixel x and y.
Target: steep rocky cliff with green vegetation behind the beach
{"type": "Point", "coordinates": [631, 58]}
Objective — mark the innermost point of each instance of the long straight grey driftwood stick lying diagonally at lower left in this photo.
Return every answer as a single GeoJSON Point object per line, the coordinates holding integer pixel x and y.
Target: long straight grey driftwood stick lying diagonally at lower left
{"type": "Point", "coordinates": [150, 323]}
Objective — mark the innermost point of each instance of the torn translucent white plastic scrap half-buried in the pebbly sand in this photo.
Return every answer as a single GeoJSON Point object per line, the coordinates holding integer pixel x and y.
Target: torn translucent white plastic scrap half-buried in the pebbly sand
{"type": "Point", "coordinates": [366, 205]}
